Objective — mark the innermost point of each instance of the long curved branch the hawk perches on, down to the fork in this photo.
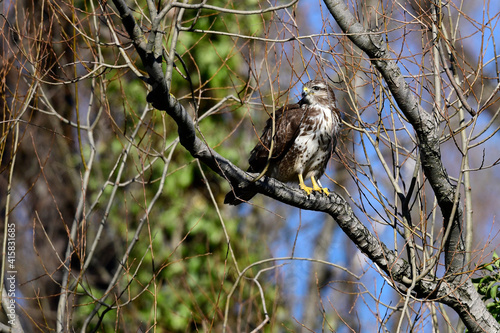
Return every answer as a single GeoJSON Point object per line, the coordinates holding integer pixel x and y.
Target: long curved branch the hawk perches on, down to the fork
{"type": "Point", "coordinates": [335, 205]}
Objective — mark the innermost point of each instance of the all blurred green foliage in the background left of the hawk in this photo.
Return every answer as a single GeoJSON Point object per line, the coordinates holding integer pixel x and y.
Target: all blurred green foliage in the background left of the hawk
{"type": "Point", "coordinates": [179, 271]}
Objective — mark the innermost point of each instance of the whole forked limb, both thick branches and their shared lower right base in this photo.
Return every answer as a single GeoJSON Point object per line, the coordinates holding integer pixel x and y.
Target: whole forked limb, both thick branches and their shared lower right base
{"type": "Point", "coordinates": [397, 269]}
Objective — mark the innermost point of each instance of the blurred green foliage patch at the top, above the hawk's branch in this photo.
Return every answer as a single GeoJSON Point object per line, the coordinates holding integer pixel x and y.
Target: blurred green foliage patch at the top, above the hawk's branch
{"type": "Point", "coordinates": [214, 63]}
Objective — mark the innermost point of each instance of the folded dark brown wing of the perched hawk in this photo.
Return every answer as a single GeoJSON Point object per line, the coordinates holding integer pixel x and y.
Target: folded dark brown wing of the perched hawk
{"type": "Point", "coordinates": [287, 123]}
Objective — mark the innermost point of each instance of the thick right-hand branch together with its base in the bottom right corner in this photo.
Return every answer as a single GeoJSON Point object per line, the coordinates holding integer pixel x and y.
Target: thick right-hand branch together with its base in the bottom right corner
{"type": "Point", "coordinates": [464, 299]}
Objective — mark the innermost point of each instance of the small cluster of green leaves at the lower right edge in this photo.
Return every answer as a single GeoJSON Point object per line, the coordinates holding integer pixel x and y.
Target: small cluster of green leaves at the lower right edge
{"type": "Point", "coordinates": [487, 285]}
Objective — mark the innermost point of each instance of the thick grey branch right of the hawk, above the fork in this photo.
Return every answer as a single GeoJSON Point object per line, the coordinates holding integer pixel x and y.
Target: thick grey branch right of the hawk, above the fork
{"type": "Point", "coordinates": [424, 124]}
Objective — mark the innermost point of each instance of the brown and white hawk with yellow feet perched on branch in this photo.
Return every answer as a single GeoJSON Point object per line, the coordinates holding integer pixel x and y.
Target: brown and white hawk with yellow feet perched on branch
{"type": "Point", "coordinates": [305, 137]}
